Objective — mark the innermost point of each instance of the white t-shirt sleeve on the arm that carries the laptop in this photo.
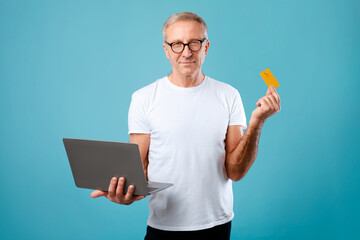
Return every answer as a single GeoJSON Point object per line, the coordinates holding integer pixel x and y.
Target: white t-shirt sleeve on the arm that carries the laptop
{"type": "Point", "coordinates": [137, 117]}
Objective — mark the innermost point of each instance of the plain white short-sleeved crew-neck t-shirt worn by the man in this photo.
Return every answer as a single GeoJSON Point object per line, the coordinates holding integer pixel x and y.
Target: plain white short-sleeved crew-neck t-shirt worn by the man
{"type": "Point", "coordinates": [187, 128]}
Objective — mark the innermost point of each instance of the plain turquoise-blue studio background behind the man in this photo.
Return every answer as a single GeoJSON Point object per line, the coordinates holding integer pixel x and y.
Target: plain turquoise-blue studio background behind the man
{"type": "Point", "coordinates": [68, 69]}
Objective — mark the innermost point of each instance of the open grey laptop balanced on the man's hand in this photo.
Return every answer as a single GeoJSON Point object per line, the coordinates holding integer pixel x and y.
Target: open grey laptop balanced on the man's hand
{"type": "Point", "coordinates": [93, 163]}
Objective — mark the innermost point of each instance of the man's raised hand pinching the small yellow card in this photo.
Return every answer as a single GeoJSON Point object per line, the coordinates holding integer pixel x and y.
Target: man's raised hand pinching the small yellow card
{"type": "Point", "coordinates": [267, 106]}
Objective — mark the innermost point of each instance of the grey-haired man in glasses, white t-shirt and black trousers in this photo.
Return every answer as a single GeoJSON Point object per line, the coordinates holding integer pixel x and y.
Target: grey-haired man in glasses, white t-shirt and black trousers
{"type": "Point", "coordinates": [189, 129]}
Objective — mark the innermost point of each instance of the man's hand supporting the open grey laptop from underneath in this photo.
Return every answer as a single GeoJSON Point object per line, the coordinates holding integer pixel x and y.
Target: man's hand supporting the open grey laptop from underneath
{"type": "Point", "coordinates": [115, 192]}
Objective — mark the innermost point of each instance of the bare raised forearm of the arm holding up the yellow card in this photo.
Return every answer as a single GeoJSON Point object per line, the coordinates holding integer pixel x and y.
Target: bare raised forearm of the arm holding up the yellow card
{"type": "Point", "coordinates": [239, 161]}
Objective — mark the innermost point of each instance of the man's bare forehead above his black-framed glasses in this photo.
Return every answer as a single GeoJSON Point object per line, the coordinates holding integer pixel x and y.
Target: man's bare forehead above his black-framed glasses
{"type": "Point", "coordinates": [184, 31]}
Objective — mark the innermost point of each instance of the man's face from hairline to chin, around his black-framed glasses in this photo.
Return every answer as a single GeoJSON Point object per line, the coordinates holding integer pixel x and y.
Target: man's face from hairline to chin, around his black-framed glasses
{"type": "Point", "coordinates": [186, 63]}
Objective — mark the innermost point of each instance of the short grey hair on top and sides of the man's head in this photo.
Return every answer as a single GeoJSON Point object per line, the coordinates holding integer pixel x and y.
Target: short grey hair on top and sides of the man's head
{"type": "Point", "coordinates": [184, 16]}
